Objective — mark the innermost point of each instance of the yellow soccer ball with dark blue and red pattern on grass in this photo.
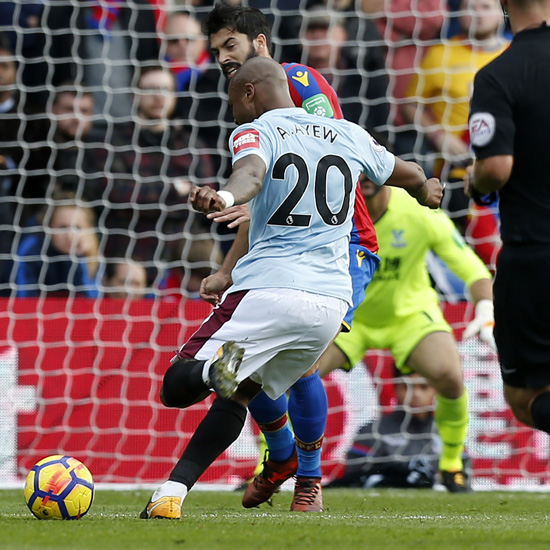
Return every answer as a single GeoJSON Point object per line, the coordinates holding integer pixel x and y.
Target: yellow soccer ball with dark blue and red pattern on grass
{"type": "Point", "coordinates": [59, 487]}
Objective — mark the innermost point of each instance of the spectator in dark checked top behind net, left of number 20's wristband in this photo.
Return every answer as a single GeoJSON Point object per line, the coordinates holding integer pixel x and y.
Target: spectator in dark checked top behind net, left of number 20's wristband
{"type": "Point", "coordinates": [149, 167]}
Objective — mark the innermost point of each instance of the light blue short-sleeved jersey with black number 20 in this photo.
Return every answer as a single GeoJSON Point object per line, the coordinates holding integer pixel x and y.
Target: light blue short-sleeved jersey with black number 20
{"type": "Point", "coordinates": [301, 219]}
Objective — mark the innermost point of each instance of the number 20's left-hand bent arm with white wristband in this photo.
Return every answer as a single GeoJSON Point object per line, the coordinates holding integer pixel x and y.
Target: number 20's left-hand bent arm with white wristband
{"type": "Point", "coordinates": [242, 186]}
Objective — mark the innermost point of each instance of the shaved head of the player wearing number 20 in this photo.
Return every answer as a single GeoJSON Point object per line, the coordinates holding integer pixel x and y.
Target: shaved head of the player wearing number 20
{"type": "Point", "coordinates": [260, 85]}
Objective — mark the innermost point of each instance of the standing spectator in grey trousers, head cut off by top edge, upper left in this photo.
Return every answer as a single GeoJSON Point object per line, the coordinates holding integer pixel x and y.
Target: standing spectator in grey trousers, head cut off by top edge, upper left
{"type": "Point", "coordinates": [97, 44]}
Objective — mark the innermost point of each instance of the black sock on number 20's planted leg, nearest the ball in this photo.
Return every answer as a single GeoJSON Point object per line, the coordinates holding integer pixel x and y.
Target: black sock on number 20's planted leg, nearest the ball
{"type": "Point", "coordinates": [220, 427]}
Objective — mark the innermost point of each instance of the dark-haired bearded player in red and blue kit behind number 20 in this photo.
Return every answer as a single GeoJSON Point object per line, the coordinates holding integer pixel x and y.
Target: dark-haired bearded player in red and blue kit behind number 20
{"type": "Point", "coordinates": [237, 33]}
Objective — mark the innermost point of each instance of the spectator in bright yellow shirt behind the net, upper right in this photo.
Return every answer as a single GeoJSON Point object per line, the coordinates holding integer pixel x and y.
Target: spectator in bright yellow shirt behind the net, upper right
{"type": "Point", "coordinates": [440, 94]}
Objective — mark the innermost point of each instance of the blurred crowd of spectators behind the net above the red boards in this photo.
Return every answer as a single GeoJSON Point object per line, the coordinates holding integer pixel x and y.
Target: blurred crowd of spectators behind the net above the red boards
{"type": "Point", "coordinates": [110, 111]}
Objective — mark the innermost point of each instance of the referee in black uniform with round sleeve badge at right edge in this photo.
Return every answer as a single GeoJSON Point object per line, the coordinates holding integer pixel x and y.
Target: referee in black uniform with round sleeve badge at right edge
{"type": "Point", "coordinates": [510, 134]}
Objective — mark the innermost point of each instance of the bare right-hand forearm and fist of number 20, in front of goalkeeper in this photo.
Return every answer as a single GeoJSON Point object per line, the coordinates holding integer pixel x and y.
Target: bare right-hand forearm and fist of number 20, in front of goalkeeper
{"type": "Point", "coordinates": [411, 177]}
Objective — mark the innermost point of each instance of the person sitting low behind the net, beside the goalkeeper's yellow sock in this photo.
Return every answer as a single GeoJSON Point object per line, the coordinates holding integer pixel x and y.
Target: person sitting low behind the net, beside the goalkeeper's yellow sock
{"type": "Point", "coordinates": [399, 449]}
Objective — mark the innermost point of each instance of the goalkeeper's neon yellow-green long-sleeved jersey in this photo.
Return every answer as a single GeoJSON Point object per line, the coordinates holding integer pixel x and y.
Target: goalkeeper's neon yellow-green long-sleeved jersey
{"type": "Point", "coordinates": [401, 285]}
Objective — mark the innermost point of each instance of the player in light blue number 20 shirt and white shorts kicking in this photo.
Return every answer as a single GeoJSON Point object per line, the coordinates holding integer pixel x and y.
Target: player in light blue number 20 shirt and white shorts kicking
{"type": "Point", "coordinates": [292, 290]}
